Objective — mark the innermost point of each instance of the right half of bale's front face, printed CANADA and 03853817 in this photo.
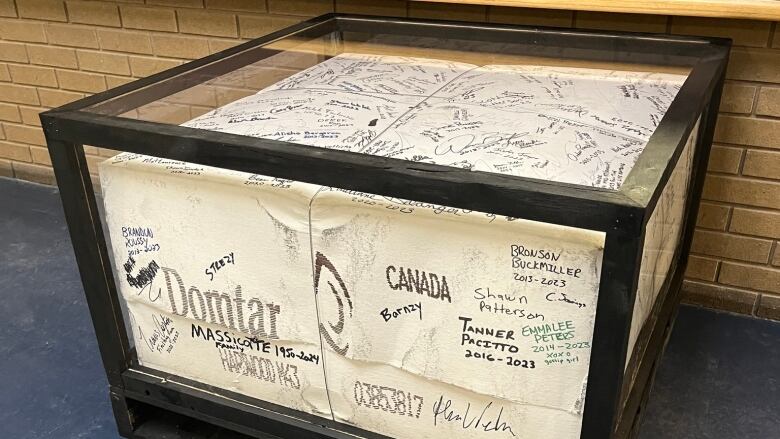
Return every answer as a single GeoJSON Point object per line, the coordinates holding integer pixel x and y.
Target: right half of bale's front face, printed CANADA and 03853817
{"type": "Point", "coordinates": [457, 309]}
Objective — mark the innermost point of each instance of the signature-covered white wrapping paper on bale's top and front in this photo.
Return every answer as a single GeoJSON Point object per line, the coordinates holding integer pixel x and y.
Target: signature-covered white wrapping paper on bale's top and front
{"type": "Point", "coordinates": [404, 318]}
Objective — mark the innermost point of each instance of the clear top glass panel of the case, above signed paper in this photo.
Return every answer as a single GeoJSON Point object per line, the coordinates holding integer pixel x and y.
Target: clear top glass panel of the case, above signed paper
{"type": "Point", "coordinates": [495, 107]}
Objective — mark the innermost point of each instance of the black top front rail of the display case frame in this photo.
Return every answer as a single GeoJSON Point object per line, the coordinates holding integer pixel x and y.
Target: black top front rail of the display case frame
{"type": "Point", "coordinates": [517, 197]}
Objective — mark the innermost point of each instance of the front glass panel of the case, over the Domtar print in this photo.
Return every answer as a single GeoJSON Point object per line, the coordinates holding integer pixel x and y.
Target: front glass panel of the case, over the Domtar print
{"type": "Point", "coordinates": [421, 317]}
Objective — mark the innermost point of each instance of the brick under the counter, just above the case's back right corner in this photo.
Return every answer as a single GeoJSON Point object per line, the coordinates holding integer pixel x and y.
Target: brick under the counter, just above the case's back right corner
{"type": "Point", "coordinates": [742, 32]}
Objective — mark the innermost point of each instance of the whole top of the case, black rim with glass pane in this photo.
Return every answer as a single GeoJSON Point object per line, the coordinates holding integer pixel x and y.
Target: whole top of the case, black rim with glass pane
{"type": "Point", "coordinates": [586, 115]}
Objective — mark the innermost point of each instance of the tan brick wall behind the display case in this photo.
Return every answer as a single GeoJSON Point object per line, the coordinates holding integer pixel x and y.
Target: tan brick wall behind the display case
{"type": "Point", "coordinates": [54, 51]}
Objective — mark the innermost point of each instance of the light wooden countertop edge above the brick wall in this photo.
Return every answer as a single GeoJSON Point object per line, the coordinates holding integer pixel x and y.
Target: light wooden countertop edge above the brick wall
{"type": "Point", "coordinates": [747, 9]}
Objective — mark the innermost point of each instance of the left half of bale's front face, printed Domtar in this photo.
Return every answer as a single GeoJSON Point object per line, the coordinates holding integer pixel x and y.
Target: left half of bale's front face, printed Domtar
{"type": "Point", "coordinates": [216, 271]}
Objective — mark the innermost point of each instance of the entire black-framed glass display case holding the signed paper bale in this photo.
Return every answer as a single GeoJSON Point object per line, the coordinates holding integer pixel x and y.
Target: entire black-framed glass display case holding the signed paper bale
{"type": "Point", "coordinates": [374, 227]}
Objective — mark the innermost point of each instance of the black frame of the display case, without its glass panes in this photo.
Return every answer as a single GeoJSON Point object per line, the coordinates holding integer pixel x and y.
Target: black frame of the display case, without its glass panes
{"type": "Point", "coordinates": [621, 214]}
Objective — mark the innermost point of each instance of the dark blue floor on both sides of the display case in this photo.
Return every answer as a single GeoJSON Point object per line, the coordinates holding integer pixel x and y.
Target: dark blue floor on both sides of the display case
{"type": "Point", "coordinates": [719, 378]}
